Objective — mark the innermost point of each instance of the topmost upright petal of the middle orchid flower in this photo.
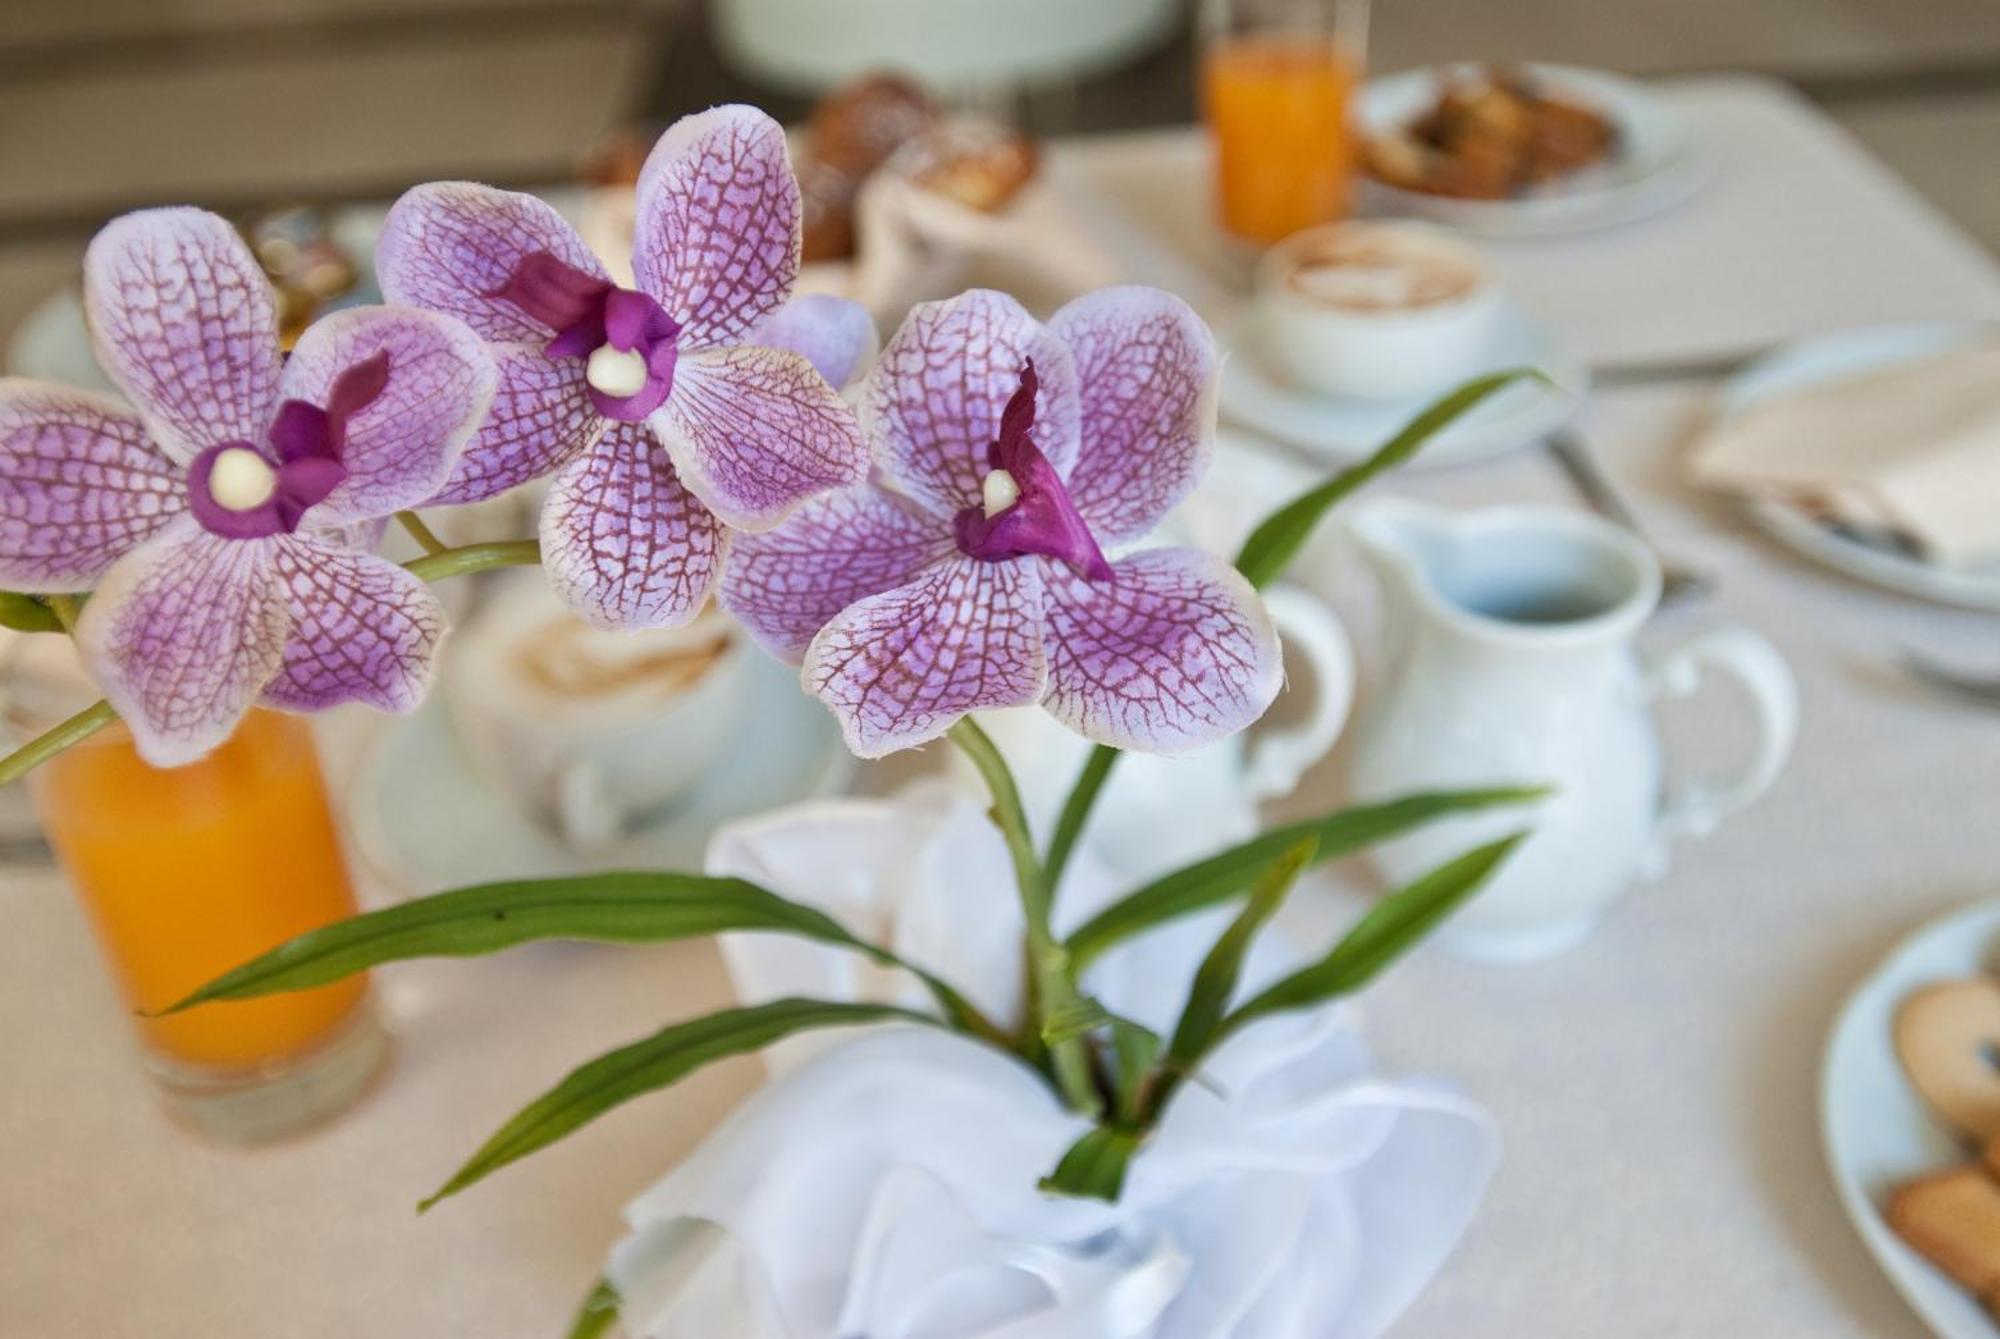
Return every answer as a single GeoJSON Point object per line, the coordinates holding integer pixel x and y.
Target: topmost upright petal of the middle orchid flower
{"type": "Point", "coordinates": [719, 225]}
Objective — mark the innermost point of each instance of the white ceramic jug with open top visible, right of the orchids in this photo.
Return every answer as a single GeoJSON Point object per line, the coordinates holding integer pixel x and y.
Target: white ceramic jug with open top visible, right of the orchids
{"type": "Point", "coordinates": [1509, 661]}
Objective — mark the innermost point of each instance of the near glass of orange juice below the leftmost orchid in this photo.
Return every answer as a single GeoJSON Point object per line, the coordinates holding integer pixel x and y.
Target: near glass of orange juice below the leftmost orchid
{"type": "Point", "coordinates": [189, 872]}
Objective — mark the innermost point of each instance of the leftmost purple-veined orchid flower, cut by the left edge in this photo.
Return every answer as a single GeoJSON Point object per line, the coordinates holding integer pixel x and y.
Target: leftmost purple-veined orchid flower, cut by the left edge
{"type": "Point", "coordinates": [225, 521]}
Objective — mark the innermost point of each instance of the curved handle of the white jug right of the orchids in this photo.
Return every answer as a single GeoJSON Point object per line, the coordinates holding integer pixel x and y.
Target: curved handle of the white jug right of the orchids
{"type": "Point", "coordinates": [1757, 665]}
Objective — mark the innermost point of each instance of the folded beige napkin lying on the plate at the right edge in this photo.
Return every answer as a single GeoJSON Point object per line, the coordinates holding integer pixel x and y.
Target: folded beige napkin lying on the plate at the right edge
{"type": "Point", "coordinates": [1909, 451]}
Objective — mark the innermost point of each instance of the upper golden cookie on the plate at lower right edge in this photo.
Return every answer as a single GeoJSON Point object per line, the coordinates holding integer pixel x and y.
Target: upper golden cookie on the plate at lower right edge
{"type": "Point", "coordinates": [1949, 1042]}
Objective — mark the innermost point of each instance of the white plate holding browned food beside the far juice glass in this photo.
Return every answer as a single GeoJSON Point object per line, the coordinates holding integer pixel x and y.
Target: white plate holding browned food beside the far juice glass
{"type": "Point", "coordinates": [1659, 163]}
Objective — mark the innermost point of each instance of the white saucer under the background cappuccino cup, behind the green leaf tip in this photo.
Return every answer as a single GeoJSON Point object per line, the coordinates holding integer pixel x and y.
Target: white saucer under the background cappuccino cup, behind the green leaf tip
{"type": "Point", "coordinates": [1343, 431]}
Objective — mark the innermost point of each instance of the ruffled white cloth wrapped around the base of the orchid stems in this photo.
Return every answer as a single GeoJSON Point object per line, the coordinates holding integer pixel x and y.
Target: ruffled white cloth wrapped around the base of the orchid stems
{"type": "Point", "coordinates": [887, 1186]}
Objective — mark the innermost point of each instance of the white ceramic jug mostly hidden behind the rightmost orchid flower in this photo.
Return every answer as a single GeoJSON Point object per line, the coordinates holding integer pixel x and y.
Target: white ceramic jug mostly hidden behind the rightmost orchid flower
{"type": "Point", "coordinates": [1155, 812]}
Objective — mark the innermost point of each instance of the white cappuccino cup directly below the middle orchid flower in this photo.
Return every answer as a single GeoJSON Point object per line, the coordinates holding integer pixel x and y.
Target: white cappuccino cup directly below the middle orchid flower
{"type": "Point", "coordinates": [591, 732]}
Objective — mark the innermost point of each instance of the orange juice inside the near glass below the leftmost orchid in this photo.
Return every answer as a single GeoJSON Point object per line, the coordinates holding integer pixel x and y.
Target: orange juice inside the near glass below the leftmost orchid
{"type": "Point", "coordinates": [189, 872]}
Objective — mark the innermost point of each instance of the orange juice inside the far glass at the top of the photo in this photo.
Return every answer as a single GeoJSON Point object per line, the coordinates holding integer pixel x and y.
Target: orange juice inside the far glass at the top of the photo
{"type": "Point", "coordinates": [1279, 115]}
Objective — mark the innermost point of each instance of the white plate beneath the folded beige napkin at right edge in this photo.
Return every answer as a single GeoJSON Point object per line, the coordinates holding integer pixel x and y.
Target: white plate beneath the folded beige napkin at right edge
{"type": "Point", "coordinates": [1831, 359]}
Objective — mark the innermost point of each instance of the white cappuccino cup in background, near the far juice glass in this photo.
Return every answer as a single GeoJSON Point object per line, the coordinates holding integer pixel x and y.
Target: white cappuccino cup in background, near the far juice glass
{"type": "Point", "coordinates": [1377, 311]}
